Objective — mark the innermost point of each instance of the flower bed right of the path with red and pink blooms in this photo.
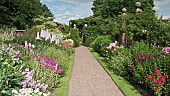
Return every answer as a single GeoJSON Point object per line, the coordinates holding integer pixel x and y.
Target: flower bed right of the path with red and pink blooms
{"type": "Point", "coordinates": [143, 64]}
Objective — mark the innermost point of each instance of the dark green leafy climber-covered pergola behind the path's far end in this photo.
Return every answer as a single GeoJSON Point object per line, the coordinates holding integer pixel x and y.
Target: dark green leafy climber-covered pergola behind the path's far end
{"type": "Point", "coordinates": [96, 26]}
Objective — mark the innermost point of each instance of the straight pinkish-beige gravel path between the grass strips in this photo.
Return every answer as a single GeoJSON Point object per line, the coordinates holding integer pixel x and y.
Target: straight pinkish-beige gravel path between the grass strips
{"type": "Point", "coordinates": [88, 78]}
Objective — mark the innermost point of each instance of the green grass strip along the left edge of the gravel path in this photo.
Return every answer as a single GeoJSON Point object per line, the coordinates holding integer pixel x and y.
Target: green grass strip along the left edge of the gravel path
{"type": "Point", "coordinates": [62, 89]}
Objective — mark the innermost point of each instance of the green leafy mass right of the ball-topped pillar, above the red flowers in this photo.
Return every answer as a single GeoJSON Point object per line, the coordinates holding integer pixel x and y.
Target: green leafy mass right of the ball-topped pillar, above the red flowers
{"type": "Point", "coordinates": [147, 27]}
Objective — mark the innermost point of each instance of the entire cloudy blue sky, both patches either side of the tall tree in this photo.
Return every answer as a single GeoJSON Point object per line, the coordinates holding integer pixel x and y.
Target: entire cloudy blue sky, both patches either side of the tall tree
{"type": "Point", "coordinates": [64, 10]}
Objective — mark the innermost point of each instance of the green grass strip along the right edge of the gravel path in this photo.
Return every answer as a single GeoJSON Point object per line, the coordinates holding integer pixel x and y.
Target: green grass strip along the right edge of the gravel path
{"type": "Point", "coordinates": [123, 84]}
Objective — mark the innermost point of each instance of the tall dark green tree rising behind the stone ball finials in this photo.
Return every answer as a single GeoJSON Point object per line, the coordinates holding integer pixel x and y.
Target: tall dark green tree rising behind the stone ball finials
{"type": "Point", "coordinates": [111, 8]}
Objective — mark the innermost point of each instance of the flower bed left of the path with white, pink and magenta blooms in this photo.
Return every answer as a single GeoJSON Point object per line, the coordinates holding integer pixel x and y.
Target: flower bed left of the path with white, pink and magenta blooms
{"type": "Point", "coordinates": [33, 68]}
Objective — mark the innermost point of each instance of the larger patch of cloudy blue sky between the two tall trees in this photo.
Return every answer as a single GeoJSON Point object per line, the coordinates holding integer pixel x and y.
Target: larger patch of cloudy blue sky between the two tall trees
{"type": "Point", "coordinates": [65, 10]}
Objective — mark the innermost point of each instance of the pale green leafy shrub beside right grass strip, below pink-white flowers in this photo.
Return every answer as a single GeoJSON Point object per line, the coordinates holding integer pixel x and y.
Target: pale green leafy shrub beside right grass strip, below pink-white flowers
{"type": "Point", "coordinates": [120, 60]}
